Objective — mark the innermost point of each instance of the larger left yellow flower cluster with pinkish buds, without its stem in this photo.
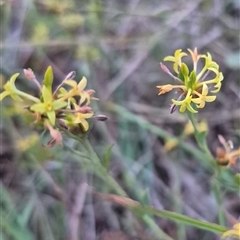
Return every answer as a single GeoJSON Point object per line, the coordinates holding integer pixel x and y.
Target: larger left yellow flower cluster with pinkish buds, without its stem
{"type": "Point", "coordinates": [68, 106]}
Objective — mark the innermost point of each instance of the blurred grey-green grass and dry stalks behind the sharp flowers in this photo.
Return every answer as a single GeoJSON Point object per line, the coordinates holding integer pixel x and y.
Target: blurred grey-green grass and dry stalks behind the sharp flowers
{"type": "Point", "coordinates": [118, 46]}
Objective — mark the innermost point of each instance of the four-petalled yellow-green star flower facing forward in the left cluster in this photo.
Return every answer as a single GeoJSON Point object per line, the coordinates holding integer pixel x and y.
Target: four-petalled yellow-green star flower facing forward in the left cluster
{"type": "Point", "coordinates": [49, 105]}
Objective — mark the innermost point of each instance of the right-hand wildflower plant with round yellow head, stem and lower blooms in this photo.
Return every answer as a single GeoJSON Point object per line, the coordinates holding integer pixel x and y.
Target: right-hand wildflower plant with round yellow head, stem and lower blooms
{"type": "Point", "coordinates": [195, 88]}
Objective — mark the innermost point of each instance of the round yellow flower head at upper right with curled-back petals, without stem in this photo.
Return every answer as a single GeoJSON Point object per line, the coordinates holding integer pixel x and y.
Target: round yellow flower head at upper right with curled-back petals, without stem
{"type": "Point", "coordinates": [193, 85]}
